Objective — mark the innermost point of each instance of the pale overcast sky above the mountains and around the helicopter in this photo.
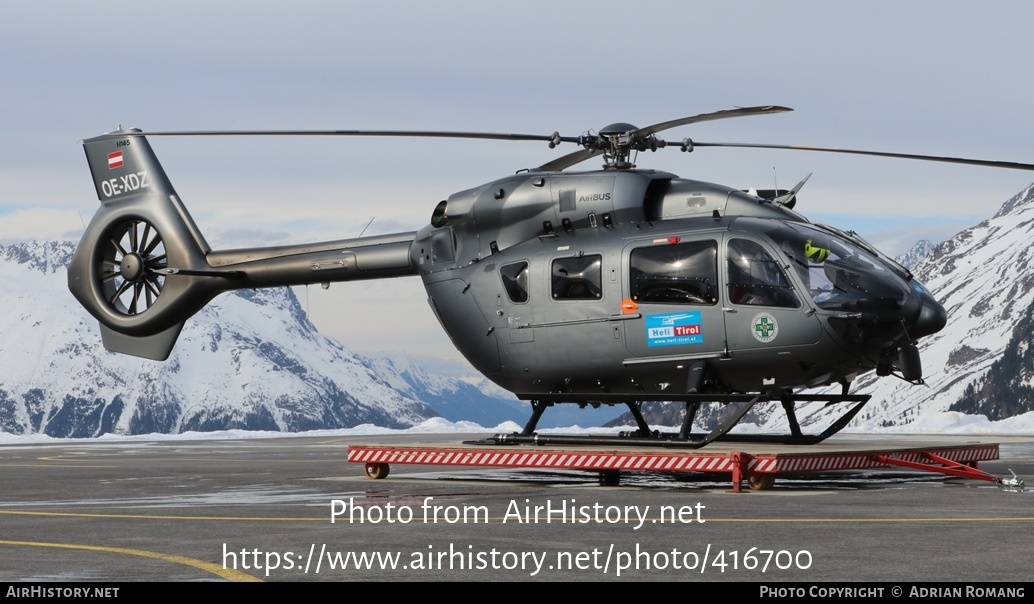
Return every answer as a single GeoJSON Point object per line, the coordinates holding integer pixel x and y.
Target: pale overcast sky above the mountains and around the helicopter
{"type": "Point", "coordinates": [938, 78]}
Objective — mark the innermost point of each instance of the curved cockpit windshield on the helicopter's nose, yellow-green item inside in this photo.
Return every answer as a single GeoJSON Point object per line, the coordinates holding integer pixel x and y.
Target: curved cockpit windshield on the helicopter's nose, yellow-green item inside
{"type": "Point", "coordinates": [840, 275]}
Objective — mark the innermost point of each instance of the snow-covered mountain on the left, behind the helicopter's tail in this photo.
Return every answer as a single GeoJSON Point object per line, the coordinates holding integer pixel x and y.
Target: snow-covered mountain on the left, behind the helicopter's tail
{"type": "Point", "coordinates": [251, 360]}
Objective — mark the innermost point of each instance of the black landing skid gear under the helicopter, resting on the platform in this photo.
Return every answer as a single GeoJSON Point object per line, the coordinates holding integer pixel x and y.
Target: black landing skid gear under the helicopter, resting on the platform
{"type": "Point", "coordinates": [685, 439]}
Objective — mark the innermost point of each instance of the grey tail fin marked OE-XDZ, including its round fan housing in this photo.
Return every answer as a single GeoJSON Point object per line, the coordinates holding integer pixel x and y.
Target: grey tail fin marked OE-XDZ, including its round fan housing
{"type": "Point", "coordinates": [120, 269]}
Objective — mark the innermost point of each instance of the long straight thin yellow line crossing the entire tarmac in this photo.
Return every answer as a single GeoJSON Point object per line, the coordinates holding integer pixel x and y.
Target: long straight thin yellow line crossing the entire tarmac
{"type": "Point", "coordinates": [501, 520]}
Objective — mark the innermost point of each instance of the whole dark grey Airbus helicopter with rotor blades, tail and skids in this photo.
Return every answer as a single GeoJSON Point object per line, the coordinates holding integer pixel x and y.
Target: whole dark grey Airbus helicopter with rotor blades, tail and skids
{"type": "Point", "coordinates": [616, 286]}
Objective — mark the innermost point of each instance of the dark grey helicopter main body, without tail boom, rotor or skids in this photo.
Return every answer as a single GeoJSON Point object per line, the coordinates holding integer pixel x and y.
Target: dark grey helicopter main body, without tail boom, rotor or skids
{"type": "Point", "coordinates": [618, 282]}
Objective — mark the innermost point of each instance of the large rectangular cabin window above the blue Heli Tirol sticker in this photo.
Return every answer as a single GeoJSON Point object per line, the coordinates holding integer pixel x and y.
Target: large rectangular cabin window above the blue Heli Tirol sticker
{"type": "Point", "coordinates": [681, 274]}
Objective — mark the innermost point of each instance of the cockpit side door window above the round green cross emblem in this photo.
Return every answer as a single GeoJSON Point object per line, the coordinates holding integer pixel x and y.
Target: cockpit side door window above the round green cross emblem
{"type": "Point", "coordinates": [755, 278]}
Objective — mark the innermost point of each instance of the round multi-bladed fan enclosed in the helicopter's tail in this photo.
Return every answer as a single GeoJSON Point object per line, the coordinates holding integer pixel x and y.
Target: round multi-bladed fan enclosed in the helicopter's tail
{"type": "Point", "coordinates": [131, 260]}
